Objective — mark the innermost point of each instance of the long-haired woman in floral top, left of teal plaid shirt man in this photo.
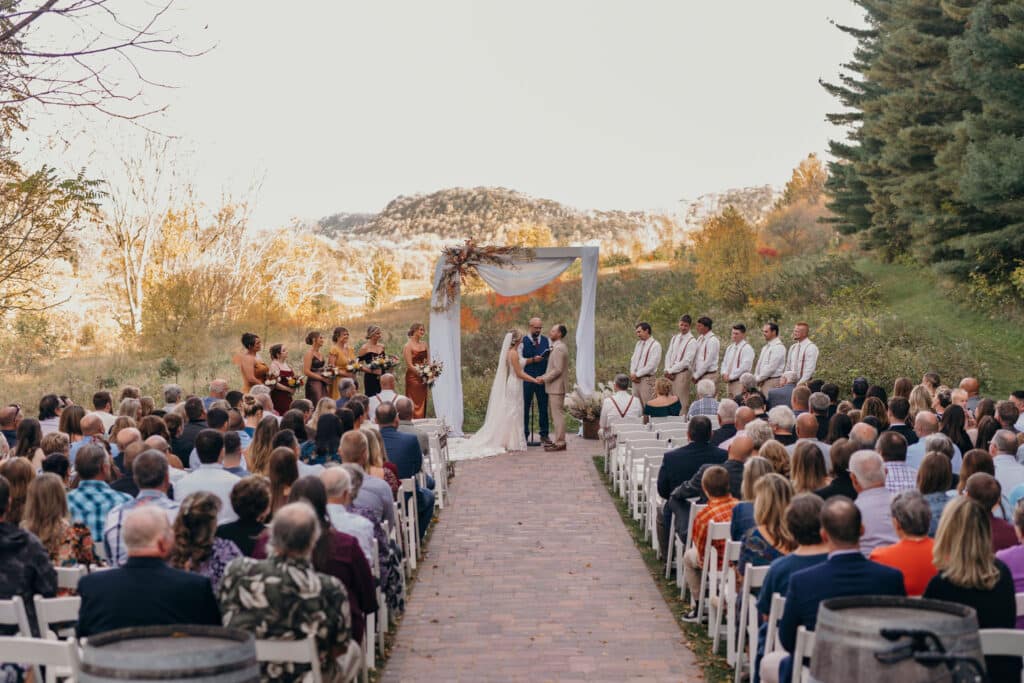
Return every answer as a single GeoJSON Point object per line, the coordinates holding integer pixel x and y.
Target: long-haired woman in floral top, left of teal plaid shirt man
{"type": "Point", "coordinates": [47, 516]}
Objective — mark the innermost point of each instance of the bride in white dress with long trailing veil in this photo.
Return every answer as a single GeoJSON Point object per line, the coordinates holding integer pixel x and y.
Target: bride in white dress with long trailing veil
{"type": "Point", "coordinates": [502, 430]}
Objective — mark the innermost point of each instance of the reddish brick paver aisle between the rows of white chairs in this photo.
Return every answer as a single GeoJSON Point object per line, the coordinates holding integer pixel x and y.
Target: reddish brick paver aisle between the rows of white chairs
{"type": "Point", "coordinates": [532, 577]}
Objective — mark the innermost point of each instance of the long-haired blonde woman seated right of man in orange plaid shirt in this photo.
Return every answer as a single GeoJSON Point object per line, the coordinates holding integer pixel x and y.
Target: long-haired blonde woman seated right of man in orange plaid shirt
{"type": "Point", "coordinates": [772, 538]}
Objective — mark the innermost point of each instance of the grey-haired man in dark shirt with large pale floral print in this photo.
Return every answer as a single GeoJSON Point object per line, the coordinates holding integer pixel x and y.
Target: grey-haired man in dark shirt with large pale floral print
{"type": "Point", "coordinates": [285, 580]}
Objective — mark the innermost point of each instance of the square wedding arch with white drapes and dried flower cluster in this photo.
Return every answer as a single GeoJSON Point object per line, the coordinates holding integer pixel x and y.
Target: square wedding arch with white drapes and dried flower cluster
{"type": "Point", "coordinates": [509, 272]}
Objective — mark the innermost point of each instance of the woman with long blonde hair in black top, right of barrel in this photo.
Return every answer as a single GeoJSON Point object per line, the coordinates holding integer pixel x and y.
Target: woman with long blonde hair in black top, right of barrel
{"type": "Point", "coordinates": [968, 574]}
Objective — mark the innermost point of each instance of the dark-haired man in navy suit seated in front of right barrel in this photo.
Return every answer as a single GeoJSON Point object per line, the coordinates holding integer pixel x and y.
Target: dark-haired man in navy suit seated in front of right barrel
{"type": "Point", "coordinates": [846, 573]}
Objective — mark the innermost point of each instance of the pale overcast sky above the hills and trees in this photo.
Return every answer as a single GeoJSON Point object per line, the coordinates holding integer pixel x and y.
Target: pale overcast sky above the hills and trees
{"type": "Point", "coordinates": [343, 106]}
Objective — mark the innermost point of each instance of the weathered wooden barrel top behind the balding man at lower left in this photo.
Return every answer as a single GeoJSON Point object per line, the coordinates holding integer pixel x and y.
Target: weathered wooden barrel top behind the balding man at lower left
{"type": "Point", "coordinates": [169, 654]}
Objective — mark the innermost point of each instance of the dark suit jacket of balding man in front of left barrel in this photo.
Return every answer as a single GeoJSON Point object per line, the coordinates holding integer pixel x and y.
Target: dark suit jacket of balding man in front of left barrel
{"type": "Point", "coordinates": [145, 592]}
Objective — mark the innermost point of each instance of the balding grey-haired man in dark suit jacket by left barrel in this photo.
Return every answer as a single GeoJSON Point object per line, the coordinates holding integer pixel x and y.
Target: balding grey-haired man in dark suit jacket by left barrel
{"type": "Point", "coordinates": [146, 591]}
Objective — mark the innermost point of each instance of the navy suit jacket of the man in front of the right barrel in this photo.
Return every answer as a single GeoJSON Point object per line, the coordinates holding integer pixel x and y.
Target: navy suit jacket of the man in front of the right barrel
{"type": "Point", "coordinates": [842, 576]}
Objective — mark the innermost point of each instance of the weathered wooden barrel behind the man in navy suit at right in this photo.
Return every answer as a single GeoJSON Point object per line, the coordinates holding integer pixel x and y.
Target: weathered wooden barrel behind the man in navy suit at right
{"type": "Point", "coordinates": [848, 637]}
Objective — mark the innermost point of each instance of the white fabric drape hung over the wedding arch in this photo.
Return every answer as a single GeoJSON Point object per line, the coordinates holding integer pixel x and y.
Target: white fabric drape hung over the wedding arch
{"type": "Point", "coordinates": [518, 279]}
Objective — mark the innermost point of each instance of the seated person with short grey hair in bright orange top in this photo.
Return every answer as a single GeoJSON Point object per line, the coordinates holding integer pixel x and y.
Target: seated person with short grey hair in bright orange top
{"type": "Point", "coordinates": [913, 553]}
